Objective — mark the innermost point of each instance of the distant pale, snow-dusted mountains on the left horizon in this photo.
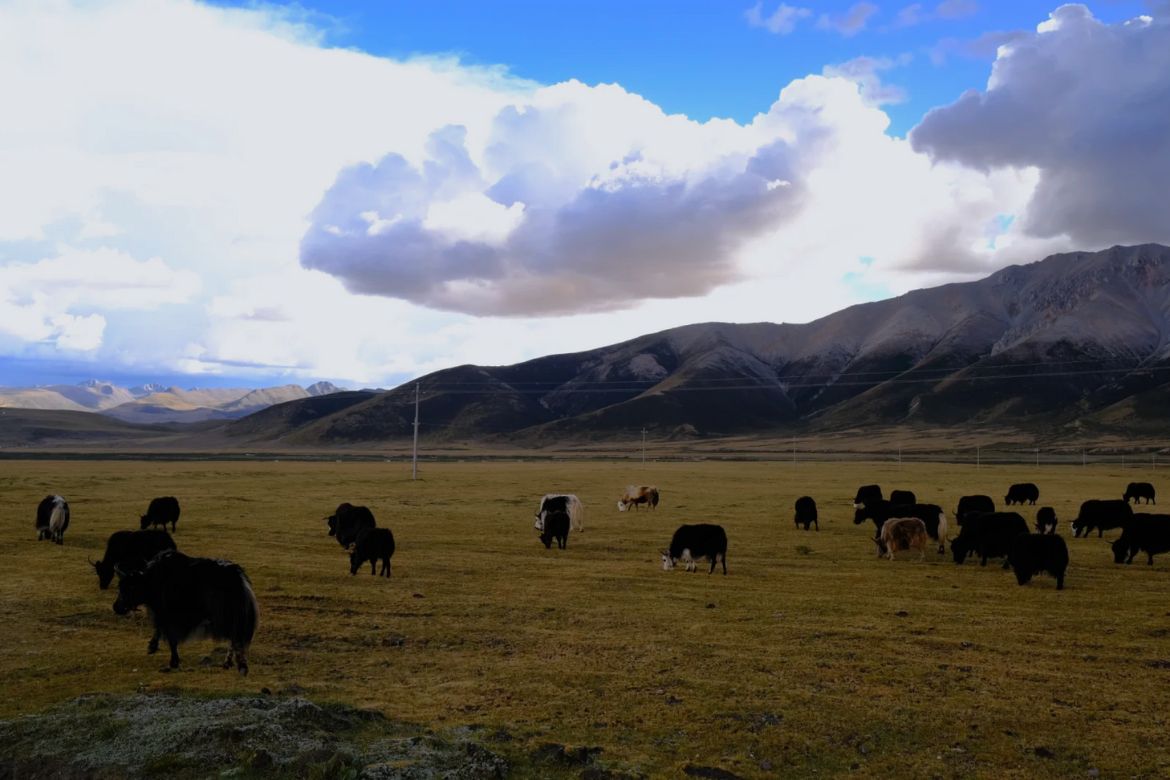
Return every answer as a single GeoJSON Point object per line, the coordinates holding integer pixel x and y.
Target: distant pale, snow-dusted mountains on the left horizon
{"type": "Point", "coordinates": [152, 403]}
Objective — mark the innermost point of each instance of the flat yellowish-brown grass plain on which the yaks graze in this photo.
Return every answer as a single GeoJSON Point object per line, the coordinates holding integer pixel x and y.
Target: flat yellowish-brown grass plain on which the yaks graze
{"type": "Point", "coordinates": [811, 657]}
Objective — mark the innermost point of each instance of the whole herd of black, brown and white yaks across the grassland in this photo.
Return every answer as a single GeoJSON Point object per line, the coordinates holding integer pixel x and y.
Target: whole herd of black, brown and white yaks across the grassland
{"type": "Point", "coordinates": [190, 597]}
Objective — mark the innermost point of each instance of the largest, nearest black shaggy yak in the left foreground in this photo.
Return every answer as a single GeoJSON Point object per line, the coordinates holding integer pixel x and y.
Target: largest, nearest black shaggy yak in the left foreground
{"type": "Point", "coordinates": [189, 598]}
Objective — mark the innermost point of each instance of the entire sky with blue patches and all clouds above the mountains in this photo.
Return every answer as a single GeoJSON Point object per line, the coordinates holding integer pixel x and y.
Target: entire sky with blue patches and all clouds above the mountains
{"type": "Point", "coordinates": [214, 195]}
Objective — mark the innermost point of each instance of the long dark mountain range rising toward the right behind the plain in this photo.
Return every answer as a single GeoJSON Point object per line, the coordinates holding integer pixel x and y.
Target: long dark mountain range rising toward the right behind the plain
{"type": "Point", "coordinates": [1076, 340]}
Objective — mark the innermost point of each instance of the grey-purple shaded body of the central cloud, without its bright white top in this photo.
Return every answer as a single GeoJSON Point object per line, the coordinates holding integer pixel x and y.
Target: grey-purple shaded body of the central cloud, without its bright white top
{"type": "Point", "coordinates": [608, 245]}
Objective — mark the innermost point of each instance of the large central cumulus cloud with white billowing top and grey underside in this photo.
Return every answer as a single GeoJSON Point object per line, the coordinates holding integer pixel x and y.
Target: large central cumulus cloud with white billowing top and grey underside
{"type": "Point", "coordinates": [584, 199]}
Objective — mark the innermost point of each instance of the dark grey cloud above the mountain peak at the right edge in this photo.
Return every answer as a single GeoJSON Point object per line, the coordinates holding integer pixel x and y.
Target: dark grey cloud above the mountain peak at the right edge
{"type": "Point", "coordinates": [1089, 106]}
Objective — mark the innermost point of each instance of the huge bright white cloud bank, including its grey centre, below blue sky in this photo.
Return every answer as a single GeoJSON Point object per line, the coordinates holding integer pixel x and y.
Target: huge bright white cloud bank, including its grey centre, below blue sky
{"type": "Point", "coordinates": [504, 196]}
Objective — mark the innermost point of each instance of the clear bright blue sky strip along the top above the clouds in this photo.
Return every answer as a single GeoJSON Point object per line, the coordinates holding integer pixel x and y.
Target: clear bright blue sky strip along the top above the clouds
{"type": "Point", "coordinates": [700, 58]}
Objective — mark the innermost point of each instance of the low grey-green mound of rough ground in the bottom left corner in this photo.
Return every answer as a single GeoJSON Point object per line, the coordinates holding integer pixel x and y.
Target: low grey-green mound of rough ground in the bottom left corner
{"type": "Point", "coordinates": [105, 736]}
